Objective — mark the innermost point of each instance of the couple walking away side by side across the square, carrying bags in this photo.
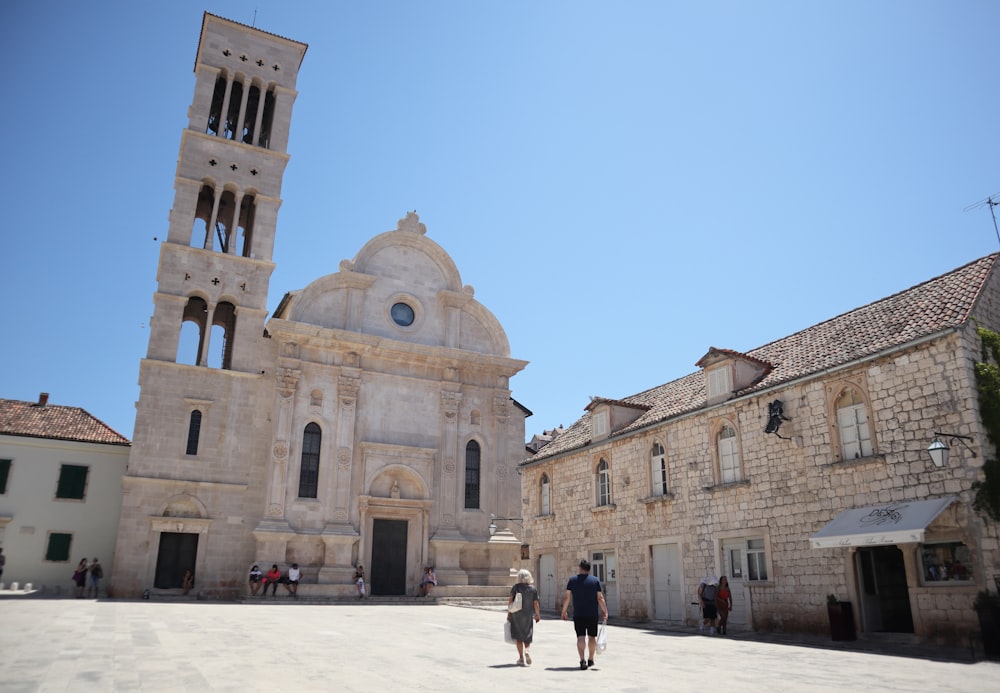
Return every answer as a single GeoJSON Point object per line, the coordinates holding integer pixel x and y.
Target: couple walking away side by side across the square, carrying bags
{"type": "Point", "coordinates": [589, 610]}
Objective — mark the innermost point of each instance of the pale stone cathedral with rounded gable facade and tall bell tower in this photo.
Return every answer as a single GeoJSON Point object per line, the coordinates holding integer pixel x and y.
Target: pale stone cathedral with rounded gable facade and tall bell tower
{"type": "Point", "coordinates": [368, 420]}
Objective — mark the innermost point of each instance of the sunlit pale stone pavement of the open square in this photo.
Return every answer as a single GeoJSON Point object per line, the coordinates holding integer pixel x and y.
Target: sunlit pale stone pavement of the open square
{"type": "Point", "coordinates": [283, 645]}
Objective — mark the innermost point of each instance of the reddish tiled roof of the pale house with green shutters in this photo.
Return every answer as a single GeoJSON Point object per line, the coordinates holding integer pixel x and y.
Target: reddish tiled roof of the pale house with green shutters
{"type": "Point", "coordinates": [55, 422]}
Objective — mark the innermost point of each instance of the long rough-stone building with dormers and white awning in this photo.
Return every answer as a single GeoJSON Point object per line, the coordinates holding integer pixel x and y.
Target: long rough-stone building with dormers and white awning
{"type": "Point", "coordinates": [799, 469]}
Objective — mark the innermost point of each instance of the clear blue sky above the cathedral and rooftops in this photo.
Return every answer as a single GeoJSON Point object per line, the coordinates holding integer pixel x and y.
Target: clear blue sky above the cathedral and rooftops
{"type": "Point", "coordinates": [625, 184]}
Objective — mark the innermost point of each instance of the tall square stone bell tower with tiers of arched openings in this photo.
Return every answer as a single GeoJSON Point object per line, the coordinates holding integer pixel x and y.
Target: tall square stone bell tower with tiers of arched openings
{"type": "Point", "coordinates": [201, 419]}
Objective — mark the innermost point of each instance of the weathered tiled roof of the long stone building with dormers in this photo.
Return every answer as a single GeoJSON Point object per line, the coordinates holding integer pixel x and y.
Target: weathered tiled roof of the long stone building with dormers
{"type": "Point", "coordinates": [934, 306]}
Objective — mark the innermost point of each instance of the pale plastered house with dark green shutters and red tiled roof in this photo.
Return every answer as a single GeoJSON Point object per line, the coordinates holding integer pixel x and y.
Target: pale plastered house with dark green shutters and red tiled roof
{"type": "Point", "coordinates": [60, 491]}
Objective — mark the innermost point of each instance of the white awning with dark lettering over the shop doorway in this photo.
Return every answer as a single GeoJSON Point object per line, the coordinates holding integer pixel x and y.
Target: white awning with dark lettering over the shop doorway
{"type": "Point", "coordinates": [878, 525]}
